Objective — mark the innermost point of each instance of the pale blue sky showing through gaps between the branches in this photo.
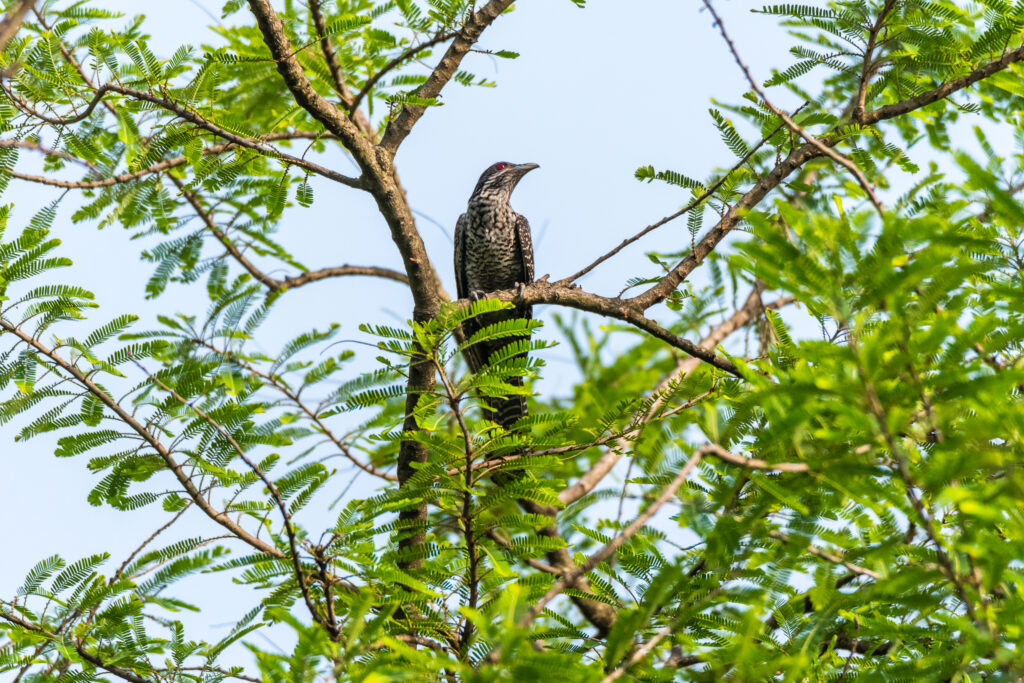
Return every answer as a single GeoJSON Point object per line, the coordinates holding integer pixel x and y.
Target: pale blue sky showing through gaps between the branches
{"type": "Point", "coordinates": [596, 94]}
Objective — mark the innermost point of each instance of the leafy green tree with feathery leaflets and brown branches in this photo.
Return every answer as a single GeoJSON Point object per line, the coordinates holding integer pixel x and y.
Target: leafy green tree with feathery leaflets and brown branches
{"type": "Point", "coordinates": [729, 496]}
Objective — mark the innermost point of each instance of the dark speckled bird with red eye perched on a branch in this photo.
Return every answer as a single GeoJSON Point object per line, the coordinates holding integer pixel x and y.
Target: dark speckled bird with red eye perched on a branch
{"type": "Point", "coordinates": [494, 251]}
